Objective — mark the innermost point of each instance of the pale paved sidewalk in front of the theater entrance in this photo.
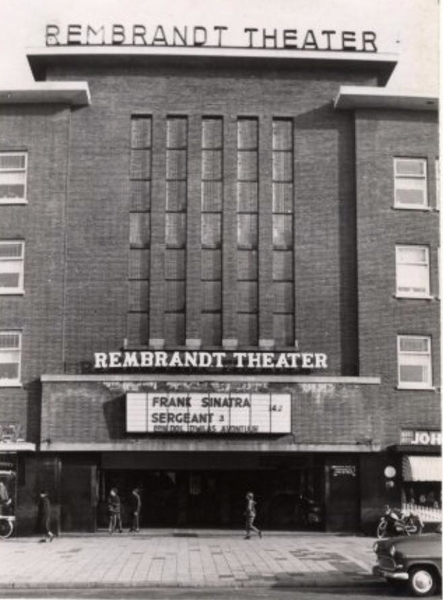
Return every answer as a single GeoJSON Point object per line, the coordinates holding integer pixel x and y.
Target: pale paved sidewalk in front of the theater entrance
{"type": "Point", "coordinates": [186, 559]}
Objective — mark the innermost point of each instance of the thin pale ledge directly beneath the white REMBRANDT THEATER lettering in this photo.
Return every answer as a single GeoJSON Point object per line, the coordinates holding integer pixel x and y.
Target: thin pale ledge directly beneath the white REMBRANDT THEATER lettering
{"type": "Point", "coordinates": [197, 378]}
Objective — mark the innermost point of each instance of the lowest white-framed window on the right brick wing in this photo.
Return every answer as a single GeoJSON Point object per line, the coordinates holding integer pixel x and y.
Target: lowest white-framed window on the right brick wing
{"type": "Point", "coordinates": [414, 361]}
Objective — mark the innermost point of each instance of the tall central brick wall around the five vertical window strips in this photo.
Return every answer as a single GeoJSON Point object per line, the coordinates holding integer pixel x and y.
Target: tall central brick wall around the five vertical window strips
{"type": "Point", "coordinates": [324, 234]}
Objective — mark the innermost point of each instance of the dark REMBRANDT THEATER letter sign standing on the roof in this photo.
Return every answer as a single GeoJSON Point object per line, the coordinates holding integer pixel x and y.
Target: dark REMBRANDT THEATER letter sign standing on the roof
{"type": "Point", "coordinates": [217, 36]}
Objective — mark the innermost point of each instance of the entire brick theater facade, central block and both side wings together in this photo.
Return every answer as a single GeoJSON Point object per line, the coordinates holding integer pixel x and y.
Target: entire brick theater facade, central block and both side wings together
{"type": "Point", "coordinates": [76, 227]}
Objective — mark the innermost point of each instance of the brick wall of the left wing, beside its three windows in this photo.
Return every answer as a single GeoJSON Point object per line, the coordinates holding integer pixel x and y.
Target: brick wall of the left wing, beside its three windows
{"type": "Point", "coordinates": [38, 313]}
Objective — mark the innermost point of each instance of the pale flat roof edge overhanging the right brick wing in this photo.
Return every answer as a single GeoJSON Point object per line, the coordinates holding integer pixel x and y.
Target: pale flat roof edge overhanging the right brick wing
{"type": "Point", "coordinates": [354, 97]}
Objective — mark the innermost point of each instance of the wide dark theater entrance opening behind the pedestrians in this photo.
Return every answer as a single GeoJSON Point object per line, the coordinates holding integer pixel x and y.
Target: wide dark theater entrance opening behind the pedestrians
{"type": "Point", "coordinates": [286, 499]}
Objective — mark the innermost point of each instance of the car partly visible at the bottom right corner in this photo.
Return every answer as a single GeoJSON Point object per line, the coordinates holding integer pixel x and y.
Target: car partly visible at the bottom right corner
{"type": "Point", "coordinates": [414, 561]}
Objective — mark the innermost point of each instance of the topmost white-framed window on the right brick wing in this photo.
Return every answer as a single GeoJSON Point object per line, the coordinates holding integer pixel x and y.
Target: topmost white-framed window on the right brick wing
{"type": "Point", "coordinates": [410, 183]}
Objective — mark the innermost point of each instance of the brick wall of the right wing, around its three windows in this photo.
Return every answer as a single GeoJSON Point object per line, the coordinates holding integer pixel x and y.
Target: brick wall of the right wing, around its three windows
{"type": "Point", "coordinates": [379, 138]}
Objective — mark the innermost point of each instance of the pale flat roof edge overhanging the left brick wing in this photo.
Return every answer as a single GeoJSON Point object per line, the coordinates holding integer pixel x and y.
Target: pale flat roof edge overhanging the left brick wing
{"type": "Point", "coordinates": [48, 92]}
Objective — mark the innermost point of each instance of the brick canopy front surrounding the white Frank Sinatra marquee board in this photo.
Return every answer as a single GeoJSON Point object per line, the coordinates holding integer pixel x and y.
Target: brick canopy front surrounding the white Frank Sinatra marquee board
{"type": "Point", "coordinates": [88, 412]}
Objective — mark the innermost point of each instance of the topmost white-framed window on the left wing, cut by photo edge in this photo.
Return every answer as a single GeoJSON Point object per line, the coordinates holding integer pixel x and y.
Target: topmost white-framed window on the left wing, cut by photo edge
{"type": "Point", "coordinates": [13, 166]}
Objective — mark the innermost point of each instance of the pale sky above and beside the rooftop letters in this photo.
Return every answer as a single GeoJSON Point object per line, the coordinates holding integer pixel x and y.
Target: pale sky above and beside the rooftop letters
{"type": "Point", "coordinates": [408, 27]}
